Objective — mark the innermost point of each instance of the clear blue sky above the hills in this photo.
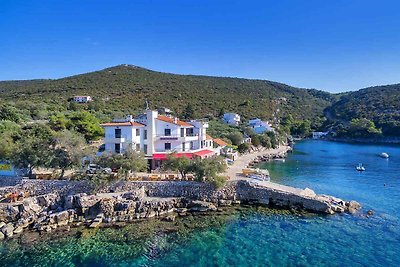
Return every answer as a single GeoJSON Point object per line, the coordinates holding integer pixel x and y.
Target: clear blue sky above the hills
{"type": "Point", "coordinates": [335, 45]}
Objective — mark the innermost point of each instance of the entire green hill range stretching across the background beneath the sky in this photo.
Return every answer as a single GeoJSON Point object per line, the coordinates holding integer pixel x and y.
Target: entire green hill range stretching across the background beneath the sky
{"type": "Point", "coordinates": [126, 88]}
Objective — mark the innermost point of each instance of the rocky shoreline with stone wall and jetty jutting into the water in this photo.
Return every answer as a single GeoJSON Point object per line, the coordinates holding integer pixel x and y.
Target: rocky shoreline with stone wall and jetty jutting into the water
{"type": "Point", "coordinates": [128, 202]}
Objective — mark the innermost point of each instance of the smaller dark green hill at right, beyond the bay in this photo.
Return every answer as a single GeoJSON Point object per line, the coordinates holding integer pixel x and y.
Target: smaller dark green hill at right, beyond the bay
{"type": "Point", "coordinates": [380, 104]}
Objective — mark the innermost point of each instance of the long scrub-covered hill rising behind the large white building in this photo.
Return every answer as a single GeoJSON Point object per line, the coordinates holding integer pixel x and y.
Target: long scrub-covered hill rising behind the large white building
{"type": "Point", "coordinates": [124, 88]}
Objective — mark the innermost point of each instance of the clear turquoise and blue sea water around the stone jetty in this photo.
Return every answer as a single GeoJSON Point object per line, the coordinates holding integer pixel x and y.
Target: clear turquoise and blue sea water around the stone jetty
{"type": "Point", "coordinates": [255, 237]}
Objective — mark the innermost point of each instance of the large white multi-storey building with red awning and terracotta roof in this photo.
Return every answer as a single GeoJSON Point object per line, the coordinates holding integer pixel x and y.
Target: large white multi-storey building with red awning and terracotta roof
{"type": "Point", "coordinates": [157, 136]}
